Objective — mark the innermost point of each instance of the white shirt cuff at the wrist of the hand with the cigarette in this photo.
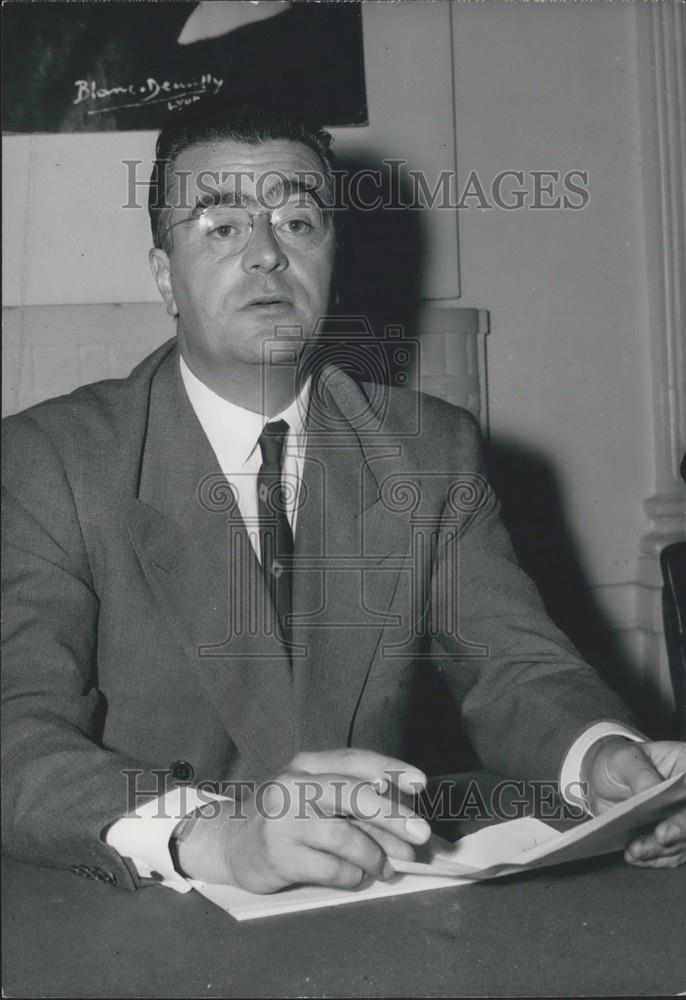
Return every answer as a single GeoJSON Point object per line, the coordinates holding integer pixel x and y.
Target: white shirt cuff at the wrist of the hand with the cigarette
{"type": "Point", "coordinates": [143, 835]}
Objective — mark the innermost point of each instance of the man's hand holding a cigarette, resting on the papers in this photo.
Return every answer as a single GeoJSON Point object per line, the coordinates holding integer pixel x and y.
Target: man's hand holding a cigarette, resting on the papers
{"type": "Point", "coordinates": [326, 820]}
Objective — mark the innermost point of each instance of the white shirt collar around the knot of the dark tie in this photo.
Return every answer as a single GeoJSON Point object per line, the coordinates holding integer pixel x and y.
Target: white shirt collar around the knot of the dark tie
{"type": "Point", "coordinates": [234, 431]}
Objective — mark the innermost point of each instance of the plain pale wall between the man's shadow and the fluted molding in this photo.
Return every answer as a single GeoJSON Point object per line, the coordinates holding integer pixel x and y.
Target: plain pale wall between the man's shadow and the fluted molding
{"type": "Point", "coordinates": [555, 87]}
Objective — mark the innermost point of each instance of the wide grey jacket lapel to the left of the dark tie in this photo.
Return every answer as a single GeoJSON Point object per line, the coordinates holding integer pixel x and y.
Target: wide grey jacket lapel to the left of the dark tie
{"type": "Point", "coordinates": [196, 554]}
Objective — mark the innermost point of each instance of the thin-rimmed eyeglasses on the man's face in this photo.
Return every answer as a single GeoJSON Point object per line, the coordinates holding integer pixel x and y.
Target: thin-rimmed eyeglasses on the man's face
{"type": "Point", "coordinates": [225, 231]}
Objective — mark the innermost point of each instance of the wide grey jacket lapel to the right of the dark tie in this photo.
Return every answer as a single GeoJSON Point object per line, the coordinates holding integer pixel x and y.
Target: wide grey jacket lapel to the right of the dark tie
{"type": "Point", "coordinates": [345, 580]}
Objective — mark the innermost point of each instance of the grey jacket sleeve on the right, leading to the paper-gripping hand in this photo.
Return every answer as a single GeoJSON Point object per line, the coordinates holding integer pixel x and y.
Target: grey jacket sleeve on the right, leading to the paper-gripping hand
{"type": "Point", "coordinates": [528, 694]}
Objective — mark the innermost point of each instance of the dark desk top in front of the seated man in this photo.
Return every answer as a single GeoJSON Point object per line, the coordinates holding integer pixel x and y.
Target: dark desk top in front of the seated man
{"type": "Point", "coordinates": [597, 927]}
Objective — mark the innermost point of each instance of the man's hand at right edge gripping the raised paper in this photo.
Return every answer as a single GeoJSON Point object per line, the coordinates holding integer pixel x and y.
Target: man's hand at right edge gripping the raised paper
{"type": "Point", "coordinates": [617, 768]}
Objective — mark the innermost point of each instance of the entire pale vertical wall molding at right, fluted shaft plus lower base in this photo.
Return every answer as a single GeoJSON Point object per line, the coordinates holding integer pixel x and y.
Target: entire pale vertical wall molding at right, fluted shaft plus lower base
{"type": "Point", "coordinates": [660, 41]}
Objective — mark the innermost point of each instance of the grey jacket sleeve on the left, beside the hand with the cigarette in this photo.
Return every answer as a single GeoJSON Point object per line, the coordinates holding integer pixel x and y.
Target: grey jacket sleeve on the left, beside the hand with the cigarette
{"type": "Point", "coordinates": [61, 789]}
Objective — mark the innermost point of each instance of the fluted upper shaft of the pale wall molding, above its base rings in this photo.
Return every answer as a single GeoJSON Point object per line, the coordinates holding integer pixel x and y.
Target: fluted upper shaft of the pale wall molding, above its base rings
{"type": "Point", "coordinates": [662, 97]}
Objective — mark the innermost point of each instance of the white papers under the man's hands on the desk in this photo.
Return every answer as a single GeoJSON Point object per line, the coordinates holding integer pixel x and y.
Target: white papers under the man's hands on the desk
{"type": "Point", "coordinates": [504, 849]}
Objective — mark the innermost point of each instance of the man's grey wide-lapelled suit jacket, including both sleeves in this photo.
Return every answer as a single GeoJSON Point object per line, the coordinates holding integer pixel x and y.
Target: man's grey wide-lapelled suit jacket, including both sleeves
{"type": "Point", "coordinates": [139, 636]}
